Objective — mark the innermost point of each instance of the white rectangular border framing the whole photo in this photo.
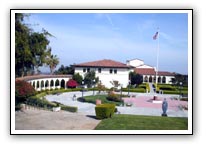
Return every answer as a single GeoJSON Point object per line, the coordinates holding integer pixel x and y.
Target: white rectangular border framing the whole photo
{"type": "Point", "coordinates": [101, 132]}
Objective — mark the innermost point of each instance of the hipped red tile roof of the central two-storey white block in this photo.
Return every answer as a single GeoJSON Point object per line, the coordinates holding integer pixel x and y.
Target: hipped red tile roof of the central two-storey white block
{"type": "Point", "coordinates": [103, 63]}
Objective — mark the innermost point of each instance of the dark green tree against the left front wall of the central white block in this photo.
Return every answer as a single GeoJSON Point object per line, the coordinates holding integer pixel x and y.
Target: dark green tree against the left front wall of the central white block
{"type": "Point", "coordinates": [89, 77]}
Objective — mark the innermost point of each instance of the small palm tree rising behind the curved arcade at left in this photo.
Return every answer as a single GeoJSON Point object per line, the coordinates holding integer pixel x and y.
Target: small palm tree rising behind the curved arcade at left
{"type": "Point", "coordinates": [52, 61]}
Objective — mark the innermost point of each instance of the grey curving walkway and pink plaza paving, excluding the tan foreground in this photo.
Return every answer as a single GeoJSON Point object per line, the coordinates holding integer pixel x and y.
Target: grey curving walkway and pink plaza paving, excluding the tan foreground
{"type": "Point", "coordinates": [141, 105]}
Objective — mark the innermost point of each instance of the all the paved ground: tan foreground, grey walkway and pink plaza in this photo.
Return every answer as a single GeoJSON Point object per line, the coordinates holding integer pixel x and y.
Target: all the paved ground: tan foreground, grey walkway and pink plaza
{"type": "Point", "coordinates": [84, 119]}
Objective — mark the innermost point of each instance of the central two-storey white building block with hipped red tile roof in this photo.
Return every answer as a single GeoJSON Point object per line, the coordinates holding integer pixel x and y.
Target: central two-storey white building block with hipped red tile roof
{"type": "Point", "coordinates": [107, 71]}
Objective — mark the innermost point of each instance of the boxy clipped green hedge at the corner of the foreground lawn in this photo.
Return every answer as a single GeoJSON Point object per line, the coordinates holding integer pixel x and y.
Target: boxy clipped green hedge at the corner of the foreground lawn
{"type": "Point", "coordinates": [104, 111]}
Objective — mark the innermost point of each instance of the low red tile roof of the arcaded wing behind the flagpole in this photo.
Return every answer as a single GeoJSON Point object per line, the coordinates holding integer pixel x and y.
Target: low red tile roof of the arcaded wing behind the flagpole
{"type": "Point", "coordinates": [151, 71]}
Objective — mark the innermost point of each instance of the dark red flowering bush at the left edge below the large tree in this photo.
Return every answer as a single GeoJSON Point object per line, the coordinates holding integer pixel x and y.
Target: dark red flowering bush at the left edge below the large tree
{"type": "Point", "coordinates": [23, 90]}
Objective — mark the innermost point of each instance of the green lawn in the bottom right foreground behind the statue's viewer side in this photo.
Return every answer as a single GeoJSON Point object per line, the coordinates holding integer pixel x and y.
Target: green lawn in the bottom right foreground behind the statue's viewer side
{"type": "Point", "coordinates": [138, 122]}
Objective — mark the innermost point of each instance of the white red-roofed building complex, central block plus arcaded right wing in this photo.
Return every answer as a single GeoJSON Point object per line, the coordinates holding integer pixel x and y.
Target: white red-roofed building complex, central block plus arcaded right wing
{"type": "Point", "coordinates": [110, 70]}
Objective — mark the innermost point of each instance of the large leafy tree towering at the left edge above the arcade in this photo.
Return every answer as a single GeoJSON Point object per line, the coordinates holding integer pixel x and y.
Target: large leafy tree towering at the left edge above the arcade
{"type": "Point", "coordinates": [31, 48]}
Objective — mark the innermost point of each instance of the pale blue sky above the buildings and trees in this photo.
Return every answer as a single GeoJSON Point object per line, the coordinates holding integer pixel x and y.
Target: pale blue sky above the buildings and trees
{"type": "Point", "coordinates": [83, 37]}
